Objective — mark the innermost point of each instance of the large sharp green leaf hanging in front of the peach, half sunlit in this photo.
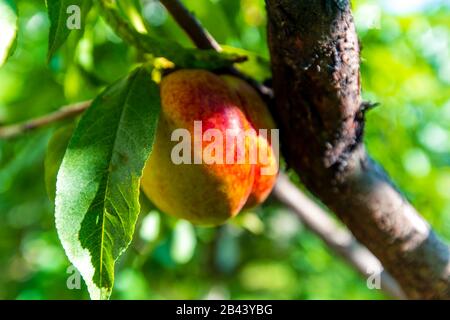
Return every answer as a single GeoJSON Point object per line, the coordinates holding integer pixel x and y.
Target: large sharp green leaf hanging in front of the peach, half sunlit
{"type": "Point", "coordinates": [97, 190]}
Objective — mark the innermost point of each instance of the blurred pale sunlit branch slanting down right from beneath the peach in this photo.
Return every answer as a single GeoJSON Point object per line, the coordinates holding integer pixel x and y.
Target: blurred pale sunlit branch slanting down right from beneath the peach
{"type": "Point", "coordinates": [337, 238]}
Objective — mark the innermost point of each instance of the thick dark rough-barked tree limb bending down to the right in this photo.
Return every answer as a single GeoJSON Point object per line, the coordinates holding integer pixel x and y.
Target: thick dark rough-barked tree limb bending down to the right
{"type": "Point", "coordinates": [315, 63]}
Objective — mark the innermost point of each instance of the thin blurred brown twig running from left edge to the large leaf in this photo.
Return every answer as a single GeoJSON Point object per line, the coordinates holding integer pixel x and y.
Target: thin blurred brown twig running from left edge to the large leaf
{"type": "Point", "coordinates": [69, 111]}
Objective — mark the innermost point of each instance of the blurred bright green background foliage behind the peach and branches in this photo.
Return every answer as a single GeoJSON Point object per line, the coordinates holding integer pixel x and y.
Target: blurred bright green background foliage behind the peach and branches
{"type": "Point", "coordinates": [262, 254]}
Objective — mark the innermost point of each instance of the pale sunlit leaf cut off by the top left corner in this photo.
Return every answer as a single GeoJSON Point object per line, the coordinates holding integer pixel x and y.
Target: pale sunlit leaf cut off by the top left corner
{"type": "Point", "coordinates": [8, 27]}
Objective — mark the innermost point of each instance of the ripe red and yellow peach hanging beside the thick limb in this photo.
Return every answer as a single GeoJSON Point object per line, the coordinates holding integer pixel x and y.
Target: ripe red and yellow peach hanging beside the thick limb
{"type": "Point", "coordinates": [210, 110]}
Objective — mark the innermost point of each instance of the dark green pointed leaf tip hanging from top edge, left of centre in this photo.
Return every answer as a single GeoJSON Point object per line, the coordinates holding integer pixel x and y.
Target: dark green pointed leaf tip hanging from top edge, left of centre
{"type": "Point", "coordinates": [65, 16]}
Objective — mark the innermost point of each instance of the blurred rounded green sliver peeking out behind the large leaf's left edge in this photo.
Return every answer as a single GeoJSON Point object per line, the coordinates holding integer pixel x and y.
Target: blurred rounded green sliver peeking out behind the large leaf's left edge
{"type": "Point", "coordinates": [55, 153]}
